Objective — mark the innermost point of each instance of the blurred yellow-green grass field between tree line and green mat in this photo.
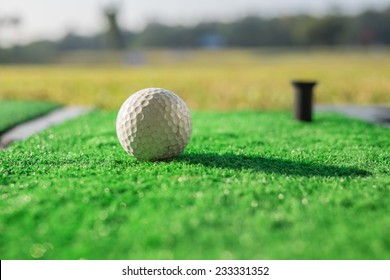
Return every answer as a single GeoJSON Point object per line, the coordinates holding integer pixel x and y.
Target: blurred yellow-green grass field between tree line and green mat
{"type": "Point", "coordinates": [209, 80]}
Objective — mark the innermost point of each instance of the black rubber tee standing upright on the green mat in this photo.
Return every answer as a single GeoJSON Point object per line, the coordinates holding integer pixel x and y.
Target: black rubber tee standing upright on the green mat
{"type": "Point", "coordinates": [303, 103]}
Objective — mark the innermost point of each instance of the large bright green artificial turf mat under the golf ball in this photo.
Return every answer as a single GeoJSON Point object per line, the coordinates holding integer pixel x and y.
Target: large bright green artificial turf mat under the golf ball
{"type": "Point", "coordinates": [250, 185]}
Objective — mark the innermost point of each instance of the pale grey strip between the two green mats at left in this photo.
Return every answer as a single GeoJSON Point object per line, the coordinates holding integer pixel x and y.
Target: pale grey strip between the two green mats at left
{"type": "Point", "coordinates": [25, 130]}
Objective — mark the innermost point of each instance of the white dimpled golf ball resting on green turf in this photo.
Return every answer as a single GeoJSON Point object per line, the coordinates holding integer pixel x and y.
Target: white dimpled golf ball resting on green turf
{"type": "Point", "coordinates": [154, 124]}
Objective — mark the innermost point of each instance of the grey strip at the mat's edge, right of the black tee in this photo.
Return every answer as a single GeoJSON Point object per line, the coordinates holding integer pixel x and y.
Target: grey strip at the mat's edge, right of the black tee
{"type": "Point", "coordinates": [376, 114]}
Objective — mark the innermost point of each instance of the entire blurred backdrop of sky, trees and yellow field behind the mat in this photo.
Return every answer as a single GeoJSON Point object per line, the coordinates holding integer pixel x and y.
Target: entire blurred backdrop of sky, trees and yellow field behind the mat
{"type": "Point", "coordinates": [249, 50]}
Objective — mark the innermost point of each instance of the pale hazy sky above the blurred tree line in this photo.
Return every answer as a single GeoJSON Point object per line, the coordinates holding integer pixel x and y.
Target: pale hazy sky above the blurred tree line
{"type": "Point", "coordinates": [49, 19]}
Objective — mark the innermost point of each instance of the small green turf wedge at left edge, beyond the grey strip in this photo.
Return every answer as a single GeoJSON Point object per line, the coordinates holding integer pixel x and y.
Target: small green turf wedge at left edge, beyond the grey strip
{"type": "Point", "coordinates": [15, 112]}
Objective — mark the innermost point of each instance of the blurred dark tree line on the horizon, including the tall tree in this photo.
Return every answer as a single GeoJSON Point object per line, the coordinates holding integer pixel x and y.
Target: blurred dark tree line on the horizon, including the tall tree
{"type": "Point", "coordinates": [367, 28]}
